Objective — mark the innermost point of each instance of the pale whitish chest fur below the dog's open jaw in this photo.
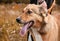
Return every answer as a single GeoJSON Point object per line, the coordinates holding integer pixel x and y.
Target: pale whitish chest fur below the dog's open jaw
{"type": "Point", "coordinates": [36, 36]}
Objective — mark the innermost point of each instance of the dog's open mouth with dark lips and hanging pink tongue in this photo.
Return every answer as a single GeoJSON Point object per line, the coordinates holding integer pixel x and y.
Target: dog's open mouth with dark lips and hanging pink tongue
{"type": "Point", "coordinates": [25, 27]}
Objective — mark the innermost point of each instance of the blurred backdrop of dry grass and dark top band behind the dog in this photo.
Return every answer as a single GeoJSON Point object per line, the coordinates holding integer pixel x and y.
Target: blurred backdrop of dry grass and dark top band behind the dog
{"type": "Point", "coordinates": [9, 11]}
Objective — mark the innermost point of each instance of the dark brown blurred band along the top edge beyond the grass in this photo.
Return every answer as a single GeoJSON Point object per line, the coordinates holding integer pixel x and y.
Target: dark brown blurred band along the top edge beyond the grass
{"type": "Point", "coordinates": [21, 1]}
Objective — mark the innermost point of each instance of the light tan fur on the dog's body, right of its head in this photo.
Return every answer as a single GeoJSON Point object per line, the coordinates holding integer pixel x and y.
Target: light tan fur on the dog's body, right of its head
{"type": "Point", "coordinates": [50, 31]}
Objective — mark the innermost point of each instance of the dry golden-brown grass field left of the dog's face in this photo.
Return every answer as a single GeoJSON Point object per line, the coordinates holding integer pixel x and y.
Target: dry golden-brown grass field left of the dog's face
{"type": "Point", "coordinates": [9, 28]}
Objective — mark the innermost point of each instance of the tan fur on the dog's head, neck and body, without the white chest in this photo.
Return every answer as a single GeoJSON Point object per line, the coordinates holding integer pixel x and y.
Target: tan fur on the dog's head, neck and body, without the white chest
{"type": "Point", "coordinates": [49, 30]}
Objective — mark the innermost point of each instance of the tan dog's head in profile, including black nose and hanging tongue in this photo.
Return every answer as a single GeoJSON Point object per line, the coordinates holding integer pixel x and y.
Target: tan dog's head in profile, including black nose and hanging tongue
{"type": "Point", "coordinates": [32, 16]}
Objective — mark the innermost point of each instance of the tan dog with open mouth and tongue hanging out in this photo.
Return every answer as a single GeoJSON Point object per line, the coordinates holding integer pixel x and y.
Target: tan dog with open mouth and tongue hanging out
{"type": "Point", "coordinates": [37, 20]}
